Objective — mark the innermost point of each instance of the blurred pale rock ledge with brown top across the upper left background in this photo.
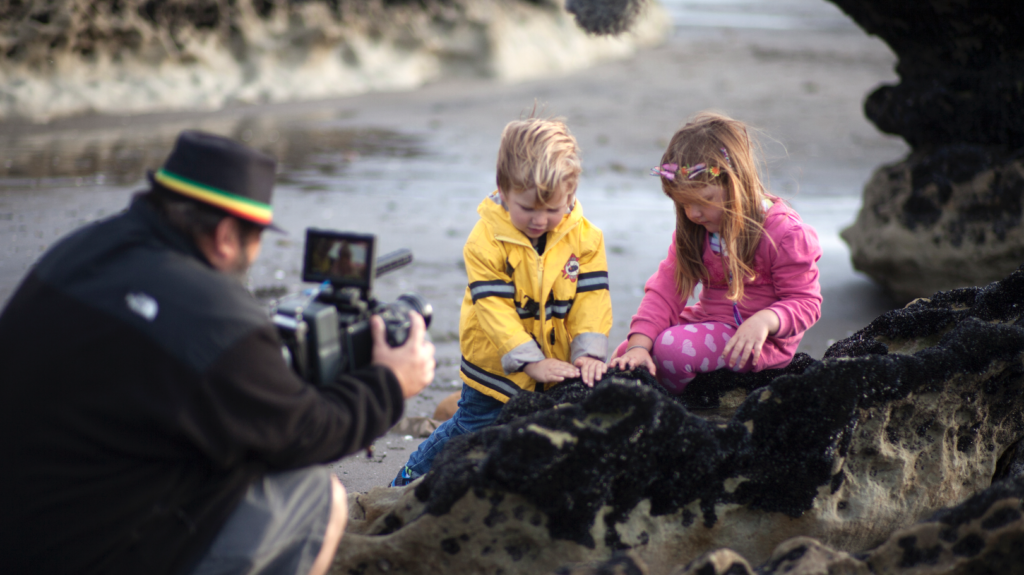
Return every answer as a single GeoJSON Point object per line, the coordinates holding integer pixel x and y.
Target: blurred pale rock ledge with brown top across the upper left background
{"type": "Point", "coordinates": [64, 58]}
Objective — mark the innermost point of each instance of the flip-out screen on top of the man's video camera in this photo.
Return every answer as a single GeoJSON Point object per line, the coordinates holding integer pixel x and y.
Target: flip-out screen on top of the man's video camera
{"type": "Point", "coordinates": [343, 258]}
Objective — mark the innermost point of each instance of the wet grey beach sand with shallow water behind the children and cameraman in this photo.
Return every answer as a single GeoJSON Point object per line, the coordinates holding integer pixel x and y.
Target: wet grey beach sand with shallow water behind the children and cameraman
{"type": "Point", "coordinates": [412, 167]}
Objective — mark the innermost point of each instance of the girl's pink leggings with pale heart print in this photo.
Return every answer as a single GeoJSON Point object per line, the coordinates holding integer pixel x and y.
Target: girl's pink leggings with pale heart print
{"type": "Point", "coordinates": [686, 350]}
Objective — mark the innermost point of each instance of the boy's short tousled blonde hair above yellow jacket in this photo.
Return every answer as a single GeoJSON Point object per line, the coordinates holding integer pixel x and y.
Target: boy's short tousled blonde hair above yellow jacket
{"type": "Point", "coordinates": [539, 153]}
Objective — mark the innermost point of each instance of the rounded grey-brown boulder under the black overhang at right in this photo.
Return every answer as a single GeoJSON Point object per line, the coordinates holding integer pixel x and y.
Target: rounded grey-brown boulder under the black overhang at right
{"type": "Point", "coordinates": [941, 220]}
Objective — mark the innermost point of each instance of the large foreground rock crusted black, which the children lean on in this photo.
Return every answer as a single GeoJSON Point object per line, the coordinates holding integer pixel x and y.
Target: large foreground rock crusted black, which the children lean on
{"type": "Point", "coordinates": [920, 411]}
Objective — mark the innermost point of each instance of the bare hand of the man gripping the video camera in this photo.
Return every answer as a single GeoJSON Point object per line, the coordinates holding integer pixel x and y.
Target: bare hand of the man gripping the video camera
{"type": "Point", "coordinates": [413, 364]}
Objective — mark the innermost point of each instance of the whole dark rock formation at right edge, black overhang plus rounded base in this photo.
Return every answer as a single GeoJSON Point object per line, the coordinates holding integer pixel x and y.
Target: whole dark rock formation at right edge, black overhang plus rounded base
{"type": "Point", "coordinates": [950, 214]}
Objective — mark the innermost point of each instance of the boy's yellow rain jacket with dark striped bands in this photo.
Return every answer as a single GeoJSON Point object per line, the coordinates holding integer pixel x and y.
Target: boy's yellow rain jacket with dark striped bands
{"type": "Point", "coordinates": [523, 307]}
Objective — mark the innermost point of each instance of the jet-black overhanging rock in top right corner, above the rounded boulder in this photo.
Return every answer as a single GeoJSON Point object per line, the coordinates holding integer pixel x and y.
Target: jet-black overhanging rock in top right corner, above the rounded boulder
{"type": "Point", "coordinates": [961, 68]}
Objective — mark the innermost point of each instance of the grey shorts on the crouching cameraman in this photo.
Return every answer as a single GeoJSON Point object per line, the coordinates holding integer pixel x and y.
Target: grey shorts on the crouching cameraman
{"type": "Point", "coordinates": [279, 527]}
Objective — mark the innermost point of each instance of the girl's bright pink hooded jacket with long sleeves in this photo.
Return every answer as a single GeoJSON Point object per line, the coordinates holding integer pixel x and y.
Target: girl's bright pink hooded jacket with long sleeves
{"type": "Point", "coordinates": [787, 283]}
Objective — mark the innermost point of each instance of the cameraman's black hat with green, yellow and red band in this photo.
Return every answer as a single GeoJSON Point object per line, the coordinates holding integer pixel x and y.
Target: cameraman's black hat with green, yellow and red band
{"type": "Point", "coordinates": [223, 173]}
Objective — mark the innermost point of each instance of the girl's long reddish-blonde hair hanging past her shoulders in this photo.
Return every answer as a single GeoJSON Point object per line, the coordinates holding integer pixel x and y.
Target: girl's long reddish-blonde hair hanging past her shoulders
{"type": "Point", "coordinates": [702, 142]}
